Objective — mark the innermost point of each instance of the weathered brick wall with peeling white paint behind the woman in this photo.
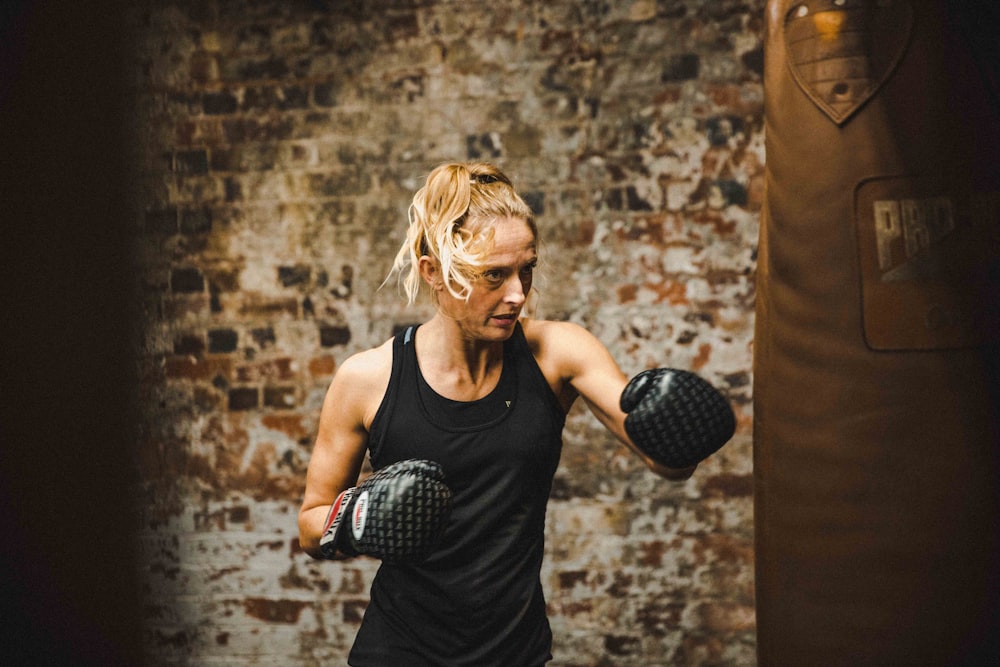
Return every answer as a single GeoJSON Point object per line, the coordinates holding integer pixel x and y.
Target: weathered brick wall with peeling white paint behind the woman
{"type": "Point", "coordinates": [279, 145]}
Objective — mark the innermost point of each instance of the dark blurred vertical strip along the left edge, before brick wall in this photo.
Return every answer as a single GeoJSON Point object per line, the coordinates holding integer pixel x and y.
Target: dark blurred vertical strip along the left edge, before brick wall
{"type": "Point", "coordinates": [67, 391]}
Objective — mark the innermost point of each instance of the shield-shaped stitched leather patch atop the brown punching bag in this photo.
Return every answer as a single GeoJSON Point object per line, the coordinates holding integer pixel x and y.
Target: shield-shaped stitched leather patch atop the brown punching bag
{"type": "Point", "coordinates": [840, 52]}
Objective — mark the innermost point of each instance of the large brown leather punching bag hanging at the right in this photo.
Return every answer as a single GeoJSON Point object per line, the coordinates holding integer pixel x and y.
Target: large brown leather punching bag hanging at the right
{"type": "Point", "coordinates": [878, 316]}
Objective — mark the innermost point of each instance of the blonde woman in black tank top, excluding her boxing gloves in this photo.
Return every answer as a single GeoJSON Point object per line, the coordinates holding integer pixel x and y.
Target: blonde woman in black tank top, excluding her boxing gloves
{"type": "Point", "coordinates": [484, 394]}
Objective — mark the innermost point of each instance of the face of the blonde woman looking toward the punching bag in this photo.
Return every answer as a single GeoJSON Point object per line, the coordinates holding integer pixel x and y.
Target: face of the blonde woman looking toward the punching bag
{"type": "Point", "coordinates": [500, 291]}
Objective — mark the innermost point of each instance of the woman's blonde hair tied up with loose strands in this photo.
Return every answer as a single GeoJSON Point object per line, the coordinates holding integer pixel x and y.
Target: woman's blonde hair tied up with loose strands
{"type": "Point", "coordinates": [450, 220]}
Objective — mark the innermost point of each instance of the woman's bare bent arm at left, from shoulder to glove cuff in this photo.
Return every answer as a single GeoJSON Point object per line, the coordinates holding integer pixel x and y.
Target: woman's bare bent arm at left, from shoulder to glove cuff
{"type": "Point", "coordinates": [342, 438]}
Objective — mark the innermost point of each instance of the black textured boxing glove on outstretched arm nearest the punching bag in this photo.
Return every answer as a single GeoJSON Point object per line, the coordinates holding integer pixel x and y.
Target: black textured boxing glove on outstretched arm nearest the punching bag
{"type": "Point", "coordinates": [675, 417]}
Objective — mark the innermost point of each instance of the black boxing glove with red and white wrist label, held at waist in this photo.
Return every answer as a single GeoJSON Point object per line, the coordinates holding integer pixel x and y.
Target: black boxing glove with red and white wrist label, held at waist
{"type": "Point", "coordinates": [398, 514]}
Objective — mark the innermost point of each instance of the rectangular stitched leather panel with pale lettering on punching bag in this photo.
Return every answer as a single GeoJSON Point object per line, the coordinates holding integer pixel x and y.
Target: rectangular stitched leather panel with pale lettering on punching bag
{"type": "Point", "coordinates": [929, 255]}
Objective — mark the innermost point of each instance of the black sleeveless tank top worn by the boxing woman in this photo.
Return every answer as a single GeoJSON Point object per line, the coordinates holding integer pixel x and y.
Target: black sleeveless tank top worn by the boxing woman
{"type": "Point", "coordinates": [478, 600]}
